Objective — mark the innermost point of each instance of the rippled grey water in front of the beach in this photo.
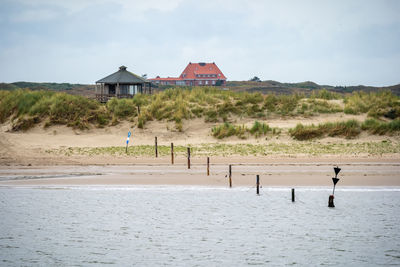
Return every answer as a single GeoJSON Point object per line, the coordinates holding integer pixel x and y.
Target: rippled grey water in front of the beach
{"type": "Point", "coordinates": [196, 226]}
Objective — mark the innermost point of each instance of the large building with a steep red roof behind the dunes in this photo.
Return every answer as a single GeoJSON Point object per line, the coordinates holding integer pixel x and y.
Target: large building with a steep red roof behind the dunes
{"type": "Point", "coordinates": [195, 74]}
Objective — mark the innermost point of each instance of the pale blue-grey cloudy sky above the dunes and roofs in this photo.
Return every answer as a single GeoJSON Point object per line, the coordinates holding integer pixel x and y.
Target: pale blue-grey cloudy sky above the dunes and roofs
{"type": "Point", "coordinates": [336, 42]}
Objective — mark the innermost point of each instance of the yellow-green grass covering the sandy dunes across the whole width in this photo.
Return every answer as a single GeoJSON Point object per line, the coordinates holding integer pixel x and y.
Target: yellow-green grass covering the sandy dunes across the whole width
{"type": "Point", "coordinates": [27, 108]}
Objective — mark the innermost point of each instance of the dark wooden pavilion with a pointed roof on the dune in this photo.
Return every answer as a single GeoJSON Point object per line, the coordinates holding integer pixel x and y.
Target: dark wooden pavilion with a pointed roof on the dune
{"type": "Point", "coordinates": [121, 84]}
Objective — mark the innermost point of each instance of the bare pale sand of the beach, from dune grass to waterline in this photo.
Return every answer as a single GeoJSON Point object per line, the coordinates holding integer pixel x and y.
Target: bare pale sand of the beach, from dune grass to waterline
{"type": "Point", "coordinates": [25, 160]}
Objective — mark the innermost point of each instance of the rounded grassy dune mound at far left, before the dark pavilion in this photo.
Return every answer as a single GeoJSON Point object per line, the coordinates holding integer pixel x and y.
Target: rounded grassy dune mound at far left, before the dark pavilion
{"type": "Point", "coordinates": [27, 108]}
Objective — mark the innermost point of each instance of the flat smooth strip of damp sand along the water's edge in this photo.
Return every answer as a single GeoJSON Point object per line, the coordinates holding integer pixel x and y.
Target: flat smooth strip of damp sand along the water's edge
{"type": "Point", "coordinates": [274, 173]}
